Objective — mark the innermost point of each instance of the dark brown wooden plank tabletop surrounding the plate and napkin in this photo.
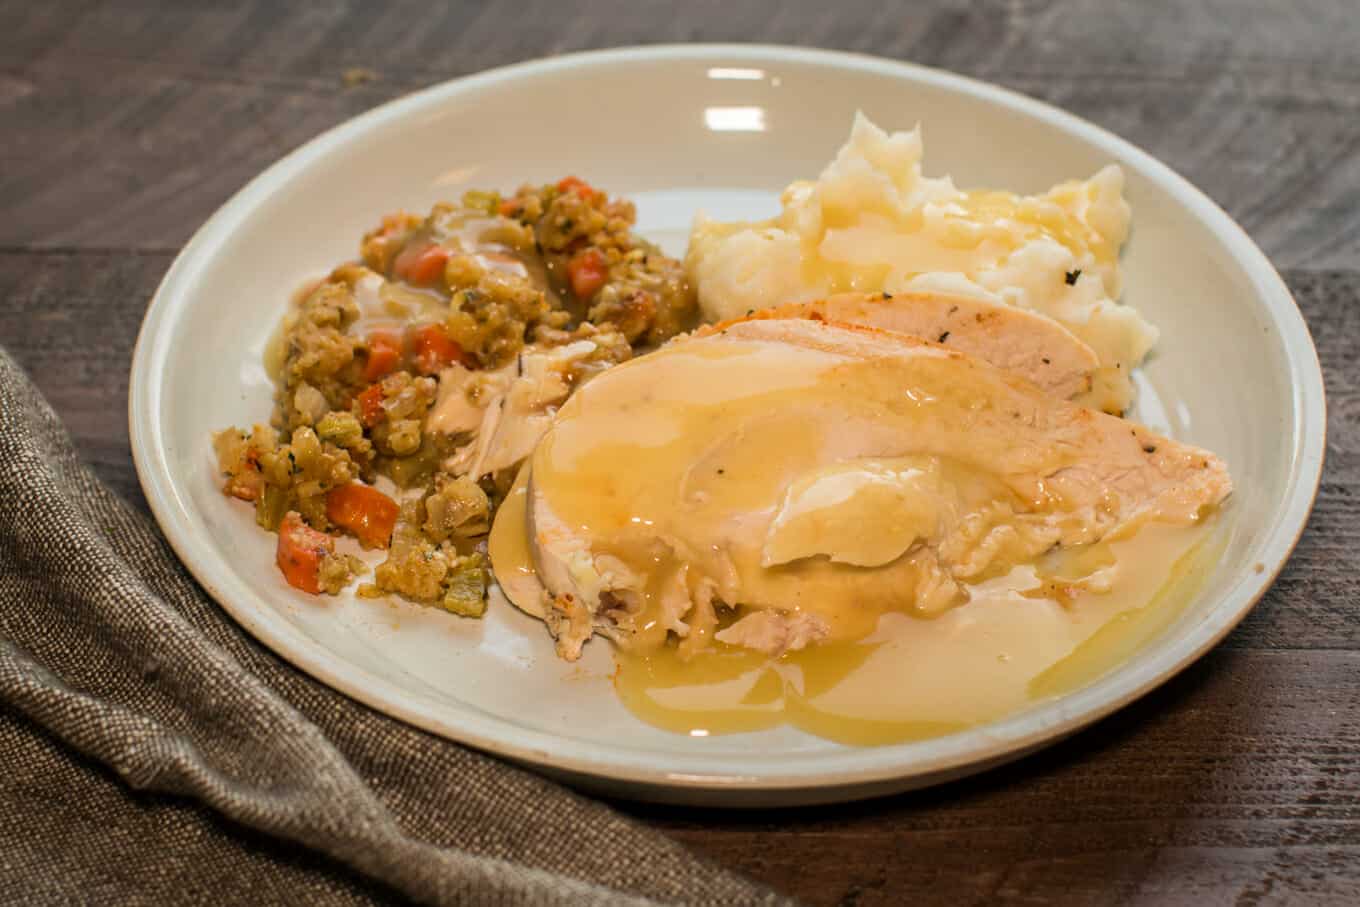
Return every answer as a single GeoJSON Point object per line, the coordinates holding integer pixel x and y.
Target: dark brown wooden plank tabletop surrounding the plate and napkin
{"type": "Point", "coordinates": [124, 126]}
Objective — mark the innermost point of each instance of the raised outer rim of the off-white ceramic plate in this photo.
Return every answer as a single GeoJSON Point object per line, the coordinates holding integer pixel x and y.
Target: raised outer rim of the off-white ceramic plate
{"type": "Point", "coordinates": [856, 768]}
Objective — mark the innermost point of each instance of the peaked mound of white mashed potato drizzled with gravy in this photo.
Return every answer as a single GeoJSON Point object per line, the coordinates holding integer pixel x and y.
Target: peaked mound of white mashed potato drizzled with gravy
{"type": "Point", "coordinates": [872, 222]}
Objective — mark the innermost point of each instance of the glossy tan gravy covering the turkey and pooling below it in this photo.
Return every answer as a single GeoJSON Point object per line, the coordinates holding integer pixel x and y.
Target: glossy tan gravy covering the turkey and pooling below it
{"type": "Point", "coordinates": [803, 481]}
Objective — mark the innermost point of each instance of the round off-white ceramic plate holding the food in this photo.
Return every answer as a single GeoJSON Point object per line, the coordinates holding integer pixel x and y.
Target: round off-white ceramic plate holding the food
{"type": "Point", "coordinates": [679, 129]}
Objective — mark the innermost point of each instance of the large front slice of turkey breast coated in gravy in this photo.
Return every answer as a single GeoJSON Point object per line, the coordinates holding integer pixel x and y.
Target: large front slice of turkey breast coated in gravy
{"type": "Point", "coordinates": [795, 479]}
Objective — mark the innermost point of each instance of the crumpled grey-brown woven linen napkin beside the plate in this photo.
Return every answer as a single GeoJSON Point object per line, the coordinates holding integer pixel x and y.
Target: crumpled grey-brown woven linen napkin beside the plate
{"type": "Point", "coordinates": [241, 778]}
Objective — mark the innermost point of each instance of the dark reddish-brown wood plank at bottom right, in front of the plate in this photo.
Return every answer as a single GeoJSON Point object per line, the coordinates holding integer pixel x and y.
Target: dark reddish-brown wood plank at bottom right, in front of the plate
{"type": "Point", "coordinates": [1236, 781]}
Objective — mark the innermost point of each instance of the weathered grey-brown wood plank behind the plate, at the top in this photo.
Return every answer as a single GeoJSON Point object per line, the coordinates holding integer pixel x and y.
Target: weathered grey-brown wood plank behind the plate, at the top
{"type": "Point", "coordinates": [205, 99]}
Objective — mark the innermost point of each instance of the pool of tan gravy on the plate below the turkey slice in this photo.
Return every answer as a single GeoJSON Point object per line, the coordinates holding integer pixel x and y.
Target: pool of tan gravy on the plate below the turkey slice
{"type": "Point", "coordinates": [1011, 647]}
